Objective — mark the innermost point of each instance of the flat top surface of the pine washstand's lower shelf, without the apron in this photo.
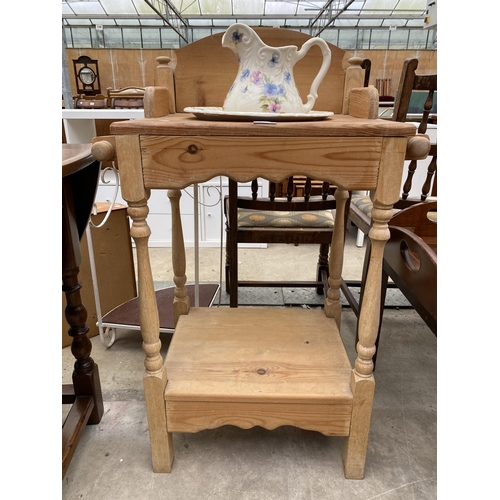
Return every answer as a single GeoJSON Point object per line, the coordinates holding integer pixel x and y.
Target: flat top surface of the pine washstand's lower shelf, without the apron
{"type": "Point", "coordinates": [245, 355]}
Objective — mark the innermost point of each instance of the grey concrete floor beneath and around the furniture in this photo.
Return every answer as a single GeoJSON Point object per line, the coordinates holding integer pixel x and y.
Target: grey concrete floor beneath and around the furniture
{"type": "Point", "coordinates": [112, 460]}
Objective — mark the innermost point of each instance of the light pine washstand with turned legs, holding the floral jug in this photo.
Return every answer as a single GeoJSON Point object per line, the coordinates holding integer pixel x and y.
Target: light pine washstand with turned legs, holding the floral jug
{"type": "Point", "coordinates": [257, 366]}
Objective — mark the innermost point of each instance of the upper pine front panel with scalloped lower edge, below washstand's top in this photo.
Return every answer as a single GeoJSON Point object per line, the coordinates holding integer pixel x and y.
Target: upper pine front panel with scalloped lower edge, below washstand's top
{"type": "Point", "coordinates": [176, 162]}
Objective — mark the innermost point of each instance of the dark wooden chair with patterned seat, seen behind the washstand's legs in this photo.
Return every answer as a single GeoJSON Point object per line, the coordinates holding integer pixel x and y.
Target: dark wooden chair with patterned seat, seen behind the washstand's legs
{"type": "Point", "coordinates": [297, 211]}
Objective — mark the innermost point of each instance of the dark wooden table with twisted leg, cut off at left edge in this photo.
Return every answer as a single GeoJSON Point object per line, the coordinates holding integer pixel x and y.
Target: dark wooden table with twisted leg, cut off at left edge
{"type": "Point", "coordinates": [80, 173]}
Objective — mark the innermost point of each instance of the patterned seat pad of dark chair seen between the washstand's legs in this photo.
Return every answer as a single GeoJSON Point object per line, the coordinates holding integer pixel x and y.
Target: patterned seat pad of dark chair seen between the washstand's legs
{"type": "Point", "coordinates": [264, 218]}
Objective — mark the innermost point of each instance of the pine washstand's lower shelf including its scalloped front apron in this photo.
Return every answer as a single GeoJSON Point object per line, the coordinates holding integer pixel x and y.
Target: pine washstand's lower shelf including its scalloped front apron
{"type": "Point", "coordinates": [239, 366]}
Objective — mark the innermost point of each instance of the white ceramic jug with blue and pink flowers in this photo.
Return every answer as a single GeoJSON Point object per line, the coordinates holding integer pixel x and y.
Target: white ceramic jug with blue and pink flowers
{"type": "Point", "coordinates": [265, 82]}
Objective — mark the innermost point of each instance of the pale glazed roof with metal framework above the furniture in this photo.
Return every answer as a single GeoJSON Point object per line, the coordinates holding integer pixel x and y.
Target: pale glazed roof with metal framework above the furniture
{"type": "Point", "coordinates": [181, 15]}
